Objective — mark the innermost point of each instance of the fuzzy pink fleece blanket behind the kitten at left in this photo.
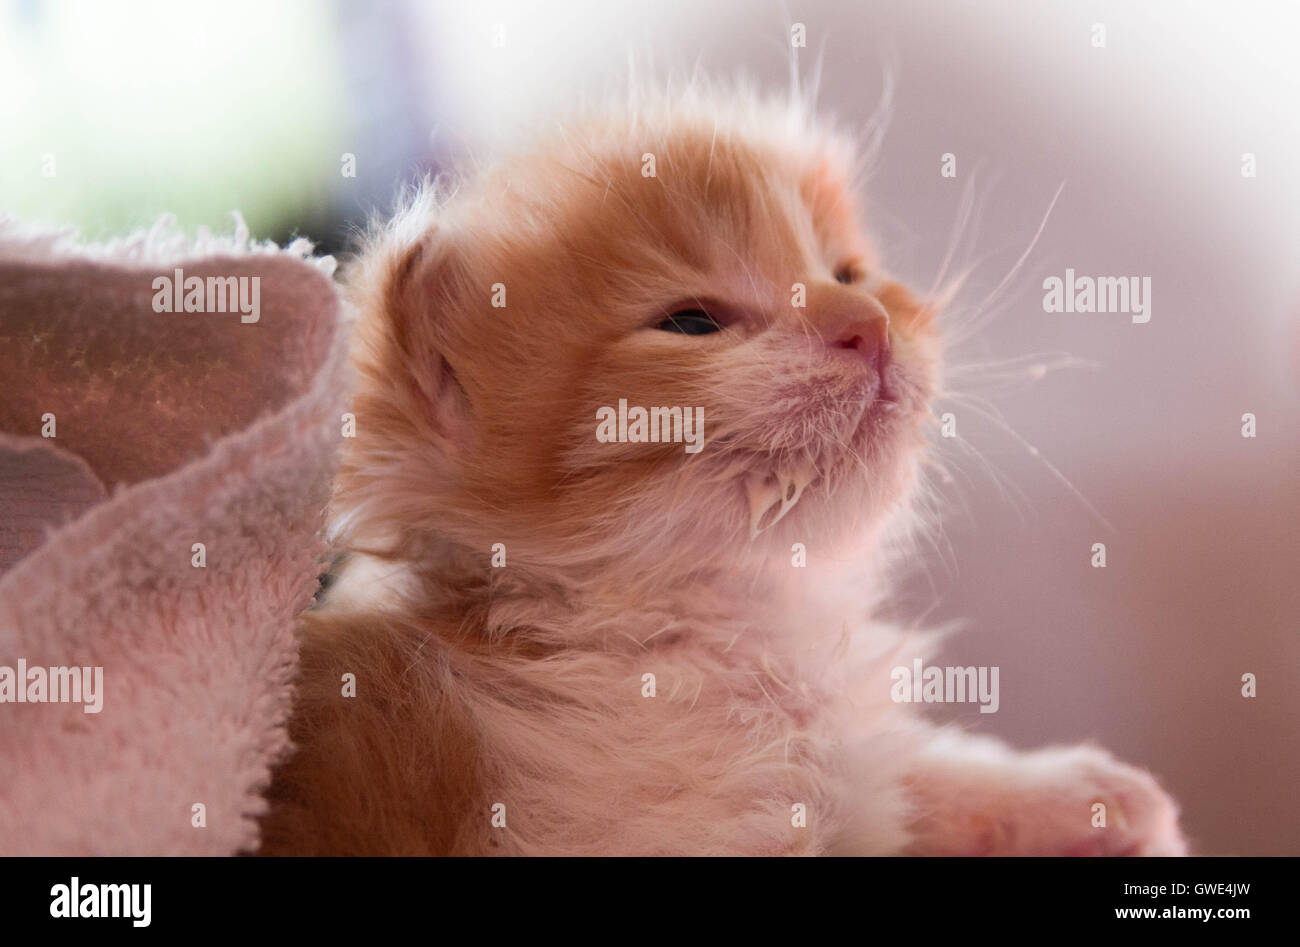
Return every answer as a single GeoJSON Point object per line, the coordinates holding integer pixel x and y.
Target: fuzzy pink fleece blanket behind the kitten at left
{"type": "Point", "coordinates": [128, 438]}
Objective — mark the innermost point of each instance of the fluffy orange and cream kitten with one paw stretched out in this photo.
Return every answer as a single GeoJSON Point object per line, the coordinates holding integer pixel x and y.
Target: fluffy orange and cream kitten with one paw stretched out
{"type": "Point", "coordinates": [588, 646]}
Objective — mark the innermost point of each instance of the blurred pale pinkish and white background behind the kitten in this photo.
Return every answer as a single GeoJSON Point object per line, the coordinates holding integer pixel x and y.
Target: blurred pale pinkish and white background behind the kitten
{"type": "Point", "coordinates": [118, 113]}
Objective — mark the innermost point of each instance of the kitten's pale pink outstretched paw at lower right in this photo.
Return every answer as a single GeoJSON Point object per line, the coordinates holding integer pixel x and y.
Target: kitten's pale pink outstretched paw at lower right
{"type": "Point", "coordinates": [1067, 818]}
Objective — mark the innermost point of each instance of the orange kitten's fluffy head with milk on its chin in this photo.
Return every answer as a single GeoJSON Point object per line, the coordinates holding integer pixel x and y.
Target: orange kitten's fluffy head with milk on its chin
{"type": "Point", "coordinates": [679, 256]}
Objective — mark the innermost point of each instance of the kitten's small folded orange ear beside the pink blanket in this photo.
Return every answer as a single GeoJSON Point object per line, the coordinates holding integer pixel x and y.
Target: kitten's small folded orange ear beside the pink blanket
{"type": "Point", "coordinates": [423, 300]}
